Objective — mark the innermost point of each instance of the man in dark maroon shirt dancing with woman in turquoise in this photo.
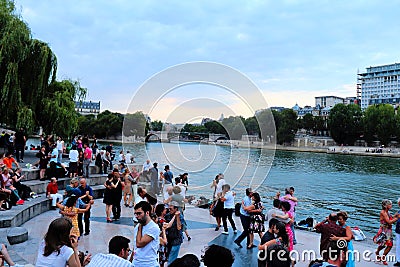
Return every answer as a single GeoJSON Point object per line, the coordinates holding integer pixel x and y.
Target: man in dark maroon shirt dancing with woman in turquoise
{"type": "Point", "coordinates": [327, 228]}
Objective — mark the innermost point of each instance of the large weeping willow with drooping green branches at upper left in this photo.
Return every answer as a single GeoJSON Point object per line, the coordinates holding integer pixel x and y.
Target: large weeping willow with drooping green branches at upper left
{"type": "Point", "coordinates": [30, 96]}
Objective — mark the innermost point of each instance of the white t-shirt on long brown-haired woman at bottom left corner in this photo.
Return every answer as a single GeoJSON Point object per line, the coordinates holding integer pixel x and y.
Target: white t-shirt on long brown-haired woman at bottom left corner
{"type": "Point", "coordinates": [53, 259]}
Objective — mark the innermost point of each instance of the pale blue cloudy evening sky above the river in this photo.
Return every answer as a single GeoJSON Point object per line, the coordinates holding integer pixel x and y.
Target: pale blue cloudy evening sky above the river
{"type": "Point", "coordinates": [292, 51]}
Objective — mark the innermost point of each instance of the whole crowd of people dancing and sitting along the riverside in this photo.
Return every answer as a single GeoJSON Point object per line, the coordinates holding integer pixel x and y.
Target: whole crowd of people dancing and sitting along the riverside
{"type": "Point", "coordinates": [160, 227]}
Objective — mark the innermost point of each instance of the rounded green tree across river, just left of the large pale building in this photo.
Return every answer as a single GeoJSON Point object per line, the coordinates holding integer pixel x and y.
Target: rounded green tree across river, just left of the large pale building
{"type": "Point", "coordinates": [344, 123]}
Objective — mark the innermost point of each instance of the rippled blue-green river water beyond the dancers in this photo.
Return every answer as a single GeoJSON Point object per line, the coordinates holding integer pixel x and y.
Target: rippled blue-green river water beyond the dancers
{"type": "Point", "coordinates": [322, 182]}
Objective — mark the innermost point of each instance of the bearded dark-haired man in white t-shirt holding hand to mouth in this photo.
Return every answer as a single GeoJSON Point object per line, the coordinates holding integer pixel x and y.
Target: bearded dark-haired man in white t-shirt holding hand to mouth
{"type": "Point", "coordinates": [146, 237]}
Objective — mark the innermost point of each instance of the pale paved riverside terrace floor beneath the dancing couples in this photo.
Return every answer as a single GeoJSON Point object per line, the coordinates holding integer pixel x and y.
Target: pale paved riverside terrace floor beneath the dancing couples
{"type": "Point", "coordinates": [201, 229]}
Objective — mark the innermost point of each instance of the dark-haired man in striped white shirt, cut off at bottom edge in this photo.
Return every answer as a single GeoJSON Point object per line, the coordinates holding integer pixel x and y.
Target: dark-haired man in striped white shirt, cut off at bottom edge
{"type": "Point", "coordinates": [118, 249]}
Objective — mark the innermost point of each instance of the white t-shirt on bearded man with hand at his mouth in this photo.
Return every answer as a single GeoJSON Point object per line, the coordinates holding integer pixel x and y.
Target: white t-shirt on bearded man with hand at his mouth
{"type": "Point", "coordinates": [147, 256]}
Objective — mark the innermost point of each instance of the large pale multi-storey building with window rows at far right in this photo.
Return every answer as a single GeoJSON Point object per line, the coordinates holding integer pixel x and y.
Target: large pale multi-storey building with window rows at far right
{"type": "Point", "coordinates": [380, 85]}
